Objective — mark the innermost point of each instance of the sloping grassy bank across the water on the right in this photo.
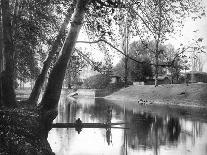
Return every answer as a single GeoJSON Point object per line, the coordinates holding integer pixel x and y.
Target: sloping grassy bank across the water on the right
{"type": "Point", "coordinates": [192, 95]}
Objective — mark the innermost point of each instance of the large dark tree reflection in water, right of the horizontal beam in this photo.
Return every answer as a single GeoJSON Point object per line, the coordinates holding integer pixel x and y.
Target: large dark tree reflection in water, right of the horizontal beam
{"type": "Point", "coordinates": [148, 131]}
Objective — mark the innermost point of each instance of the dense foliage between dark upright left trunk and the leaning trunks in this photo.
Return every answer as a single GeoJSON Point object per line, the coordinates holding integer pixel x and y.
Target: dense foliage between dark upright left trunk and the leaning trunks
{"type": "Point", "coordinates": [34, 24]}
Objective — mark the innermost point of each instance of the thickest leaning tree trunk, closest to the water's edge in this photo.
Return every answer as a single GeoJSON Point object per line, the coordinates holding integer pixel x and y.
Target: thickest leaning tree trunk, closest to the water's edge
{"type": "Point", "coordinates": [52, 93]}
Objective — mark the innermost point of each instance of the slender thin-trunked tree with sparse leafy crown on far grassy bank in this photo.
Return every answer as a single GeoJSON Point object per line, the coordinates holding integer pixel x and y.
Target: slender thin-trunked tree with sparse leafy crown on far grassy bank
{"type": "Point", "coordinates": [159, 19]}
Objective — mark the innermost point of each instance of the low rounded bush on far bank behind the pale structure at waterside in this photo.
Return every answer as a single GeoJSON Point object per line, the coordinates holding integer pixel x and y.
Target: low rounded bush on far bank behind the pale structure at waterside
{"type": "Point", "coordinates": [98, 81]}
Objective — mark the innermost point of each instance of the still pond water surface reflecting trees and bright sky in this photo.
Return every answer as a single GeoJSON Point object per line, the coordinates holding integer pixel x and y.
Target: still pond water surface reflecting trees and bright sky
{"type": "Point", "coordinates": [149, 134]}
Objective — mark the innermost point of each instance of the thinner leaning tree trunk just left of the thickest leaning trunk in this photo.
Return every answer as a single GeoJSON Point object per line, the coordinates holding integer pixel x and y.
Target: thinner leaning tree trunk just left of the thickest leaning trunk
{"type": "Point", "coordinates": [33, 98]}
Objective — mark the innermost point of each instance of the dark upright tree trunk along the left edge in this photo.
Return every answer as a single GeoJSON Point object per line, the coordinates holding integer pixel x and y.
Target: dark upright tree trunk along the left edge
{"type": "Point", "coordinates": [7, 77]}
